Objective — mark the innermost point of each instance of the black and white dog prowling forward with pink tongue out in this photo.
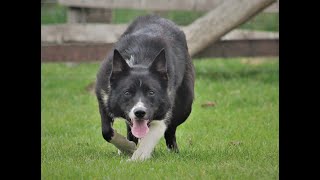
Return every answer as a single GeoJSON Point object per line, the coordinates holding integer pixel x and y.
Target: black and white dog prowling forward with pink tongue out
{"type": "Point", "coordinates": [148, 80]}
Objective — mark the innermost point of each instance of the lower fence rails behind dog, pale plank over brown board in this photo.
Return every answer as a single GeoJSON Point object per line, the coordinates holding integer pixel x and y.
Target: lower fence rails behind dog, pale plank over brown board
{"type": "Point", "coordinates": [90, 42]}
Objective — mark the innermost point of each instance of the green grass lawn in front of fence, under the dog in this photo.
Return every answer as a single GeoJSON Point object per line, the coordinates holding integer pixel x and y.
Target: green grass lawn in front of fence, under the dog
{"type": "Point", "coordinates": [235, 139]}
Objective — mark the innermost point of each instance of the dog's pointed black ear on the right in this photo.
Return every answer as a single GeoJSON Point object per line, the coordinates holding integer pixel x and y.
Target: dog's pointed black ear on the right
{"type": "Point", "coordinates": [159, 64]}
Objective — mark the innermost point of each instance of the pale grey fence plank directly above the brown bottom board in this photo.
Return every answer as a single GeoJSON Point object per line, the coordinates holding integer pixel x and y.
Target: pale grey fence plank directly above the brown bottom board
{"type": "Point", "coordinates": [109, 33]}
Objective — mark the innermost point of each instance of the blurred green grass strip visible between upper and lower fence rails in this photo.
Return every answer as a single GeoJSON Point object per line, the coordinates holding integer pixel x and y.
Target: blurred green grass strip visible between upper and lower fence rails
{"type": "Point", "coordinates": [55, 14]}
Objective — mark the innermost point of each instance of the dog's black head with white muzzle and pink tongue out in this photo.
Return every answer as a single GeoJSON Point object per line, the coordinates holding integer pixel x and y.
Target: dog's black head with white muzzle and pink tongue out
{"type": "Point", "coordinates": [138, 92]}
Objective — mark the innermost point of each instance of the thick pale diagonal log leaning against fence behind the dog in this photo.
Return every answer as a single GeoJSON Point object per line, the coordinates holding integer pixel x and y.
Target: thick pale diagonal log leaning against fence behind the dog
{"type": "Point", "coordinates": [219, 21]}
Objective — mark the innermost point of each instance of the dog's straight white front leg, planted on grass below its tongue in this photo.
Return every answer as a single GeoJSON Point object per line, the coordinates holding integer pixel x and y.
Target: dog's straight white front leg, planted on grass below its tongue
{"type": "Point", "coordinates": [148, 143]}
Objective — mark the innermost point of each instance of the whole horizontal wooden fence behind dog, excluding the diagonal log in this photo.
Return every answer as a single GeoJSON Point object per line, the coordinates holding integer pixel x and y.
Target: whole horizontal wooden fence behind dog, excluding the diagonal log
{"type": "Point", "coordinates": [76, 41]}
